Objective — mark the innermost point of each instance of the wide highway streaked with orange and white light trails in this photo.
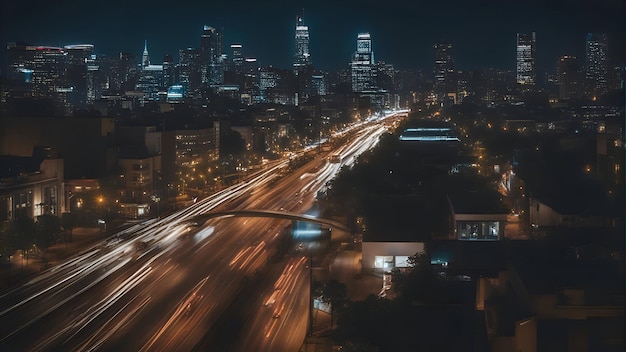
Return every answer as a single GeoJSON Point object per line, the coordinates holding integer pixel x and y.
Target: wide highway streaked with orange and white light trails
{"type": "Point", "coordinates": [161, 285]}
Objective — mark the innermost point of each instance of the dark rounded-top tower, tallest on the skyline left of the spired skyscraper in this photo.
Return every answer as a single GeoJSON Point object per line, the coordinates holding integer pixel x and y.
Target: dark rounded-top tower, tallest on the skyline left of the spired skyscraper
{"type": "Point", "coordinates": [211, 65]}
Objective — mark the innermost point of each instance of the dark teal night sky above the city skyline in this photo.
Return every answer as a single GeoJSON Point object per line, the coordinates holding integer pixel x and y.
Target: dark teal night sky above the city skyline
{"type": "Point", "coordinates": [482, 32]}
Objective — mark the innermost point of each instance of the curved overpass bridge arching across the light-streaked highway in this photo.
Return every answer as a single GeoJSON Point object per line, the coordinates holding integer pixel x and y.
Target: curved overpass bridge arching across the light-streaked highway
{"type": "Point", "coordinates": [202, 218]}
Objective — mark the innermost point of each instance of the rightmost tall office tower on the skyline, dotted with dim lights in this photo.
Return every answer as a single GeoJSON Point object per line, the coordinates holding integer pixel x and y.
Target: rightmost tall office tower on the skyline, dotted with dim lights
{"type": "Point", "coordinates": [596, 63]}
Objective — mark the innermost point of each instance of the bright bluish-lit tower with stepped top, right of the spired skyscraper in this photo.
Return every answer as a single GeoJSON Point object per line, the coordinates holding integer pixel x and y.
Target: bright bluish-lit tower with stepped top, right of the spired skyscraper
{"type": "Point", "coordinates": [363, 72]}
